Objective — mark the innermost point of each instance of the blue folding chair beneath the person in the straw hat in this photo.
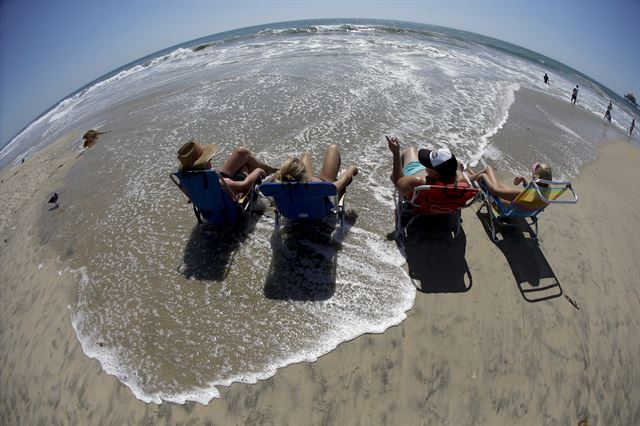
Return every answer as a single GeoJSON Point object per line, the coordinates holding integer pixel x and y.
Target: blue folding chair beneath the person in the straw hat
{"type": "Point", "coordinates": [211, 203]}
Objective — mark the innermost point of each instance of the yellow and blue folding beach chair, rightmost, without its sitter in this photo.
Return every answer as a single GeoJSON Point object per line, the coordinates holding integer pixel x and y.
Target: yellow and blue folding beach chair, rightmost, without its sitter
{"type": "Point", "coordinates": [527, 205]}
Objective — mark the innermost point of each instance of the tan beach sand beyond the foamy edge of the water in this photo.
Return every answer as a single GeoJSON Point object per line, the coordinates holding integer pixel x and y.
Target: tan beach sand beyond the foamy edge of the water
{"type": "Point", "coordinates": [473, 350]}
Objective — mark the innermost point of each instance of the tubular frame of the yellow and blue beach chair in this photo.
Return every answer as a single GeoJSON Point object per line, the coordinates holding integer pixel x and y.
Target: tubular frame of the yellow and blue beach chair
{"type": "Point", "coordinates": [510, 212]}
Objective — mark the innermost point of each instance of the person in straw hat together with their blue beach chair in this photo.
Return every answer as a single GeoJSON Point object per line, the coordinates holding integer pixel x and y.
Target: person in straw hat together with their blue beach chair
{"type": "Point", "coordinates": [217, 194]}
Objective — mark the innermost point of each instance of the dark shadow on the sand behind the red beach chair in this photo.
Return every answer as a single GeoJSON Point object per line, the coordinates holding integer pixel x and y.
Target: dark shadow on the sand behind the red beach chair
{"type": "Point", "coordinates": [436, 260]}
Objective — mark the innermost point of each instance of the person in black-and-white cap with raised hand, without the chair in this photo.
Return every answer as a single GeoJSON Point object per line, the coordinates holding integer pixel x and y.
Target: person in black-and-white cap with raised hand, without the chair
{"type": "Point", "coordinates": [417, 167]}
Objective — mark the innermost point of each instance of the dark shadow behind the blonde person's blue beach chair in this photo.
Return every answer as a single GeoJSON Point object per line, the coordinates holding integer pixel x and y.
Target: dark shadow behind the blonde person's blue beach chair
{"type": "Point", "coordinates": [305, 259]}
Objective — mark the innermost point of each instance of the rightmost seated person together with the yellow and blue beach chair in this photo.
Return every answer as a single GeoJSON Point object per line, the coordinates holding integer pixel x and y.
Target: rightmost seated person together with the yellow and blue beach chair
{"type": "Point", "coordinates": [504, 201]}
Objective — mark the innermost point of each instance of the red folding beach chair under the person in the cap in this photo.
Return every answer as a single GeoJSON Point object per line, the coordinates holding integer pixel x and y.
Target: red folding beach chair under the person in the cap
{"type": "Point", "coordinates": [435, 199]}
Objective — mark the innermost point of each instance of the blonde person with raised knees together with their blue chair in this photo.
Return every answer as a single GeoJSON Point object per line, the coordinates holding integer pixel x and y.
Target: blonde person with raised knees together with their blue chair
{"type": "Point", "coordinates": [299, 194]}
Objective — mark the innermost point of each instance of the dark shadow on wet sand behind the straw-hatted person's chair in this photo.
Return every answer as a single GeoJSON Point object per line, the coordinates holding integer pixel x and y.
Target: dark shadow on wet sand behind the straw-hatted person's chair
{"type": "Point", "coordinates": [210, 249]}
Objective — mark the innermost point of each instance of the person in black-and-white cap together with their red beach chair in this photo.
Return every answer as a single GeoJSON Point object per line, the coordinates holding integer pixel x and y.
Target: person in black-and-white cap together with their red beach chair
{"type": "Point", "coordinates": [428, 182]}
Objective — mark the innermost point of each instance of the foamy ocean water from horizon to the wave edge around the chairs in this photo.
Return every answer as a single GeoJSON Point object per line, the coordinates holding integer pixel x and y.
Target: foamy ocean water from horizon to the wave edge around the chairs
{"type": "Point", "coordinates": [174, 311]}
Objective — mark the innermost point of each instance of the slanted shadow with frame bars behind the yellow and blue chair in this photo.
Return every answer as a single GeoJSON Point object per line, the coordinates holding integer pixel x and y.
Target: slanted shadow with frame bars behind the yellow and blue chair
{"type": "Point", "coordinates": [533, 274]}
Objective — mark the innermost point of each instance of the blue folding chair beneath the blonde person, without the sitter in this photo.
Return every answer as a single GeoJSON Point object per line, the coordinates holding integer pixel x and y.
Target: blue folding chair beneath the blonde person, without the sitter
{"type": "Point", "coordinates": [308, 200]}
